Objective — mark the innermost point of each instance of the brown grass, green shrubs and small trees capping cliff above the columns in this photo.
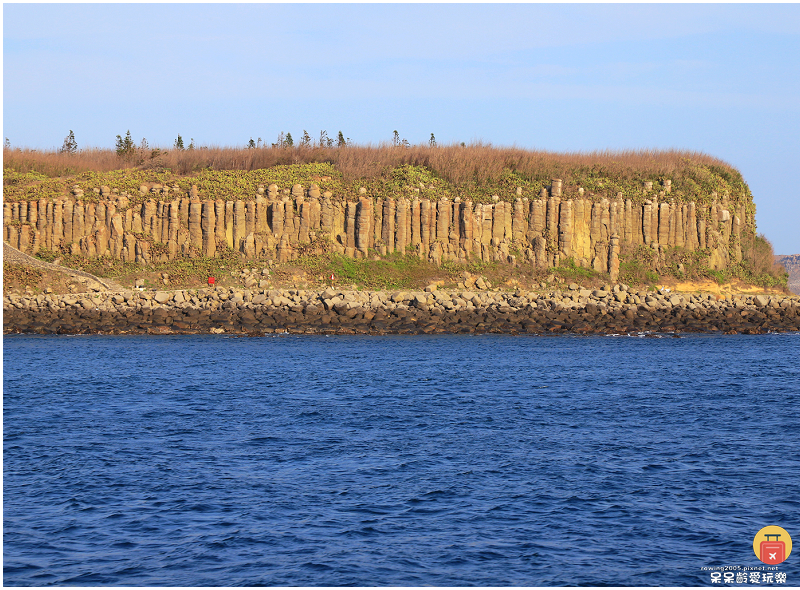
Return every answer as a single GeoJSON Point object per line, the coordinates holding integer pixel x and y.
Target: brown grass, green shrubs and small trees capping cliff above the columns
{"type": "Point", "coordinates": [475, 172]}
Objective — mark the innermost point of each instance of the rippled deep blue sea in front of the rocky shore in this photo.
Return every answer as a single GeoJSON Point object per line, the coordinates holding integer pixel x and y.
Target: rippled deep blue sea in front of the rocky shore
{"type": "Point", "coordinates": [422, 460]}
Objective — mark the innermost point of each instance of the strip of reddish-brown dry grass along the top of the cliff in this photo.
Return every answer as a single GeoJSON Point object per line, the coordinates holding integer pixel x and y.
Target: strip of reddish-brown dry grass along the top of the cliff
{"type": "Point", "coordinates": [461, 165]}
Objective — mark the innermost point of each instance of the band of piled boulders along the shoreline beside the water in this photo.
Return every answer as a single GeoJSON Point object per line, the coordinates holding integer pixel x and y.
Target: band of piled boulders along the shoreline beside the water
{"type": "Point", "coordinates": [616, 309]}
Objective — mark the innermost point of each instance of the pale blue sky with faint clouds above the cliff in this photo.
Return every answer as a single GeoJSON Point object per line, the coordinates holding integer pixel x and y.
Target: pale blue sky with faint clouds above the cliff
{"type": "Point", "coordinates": [721, 79]}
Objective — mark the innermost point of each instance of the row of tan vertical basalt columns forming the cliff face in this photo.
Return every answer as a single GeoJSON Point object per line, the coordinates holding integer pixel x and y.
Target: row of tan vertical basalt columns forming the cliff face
{"type": "Point", "coordinates": [542, 231]}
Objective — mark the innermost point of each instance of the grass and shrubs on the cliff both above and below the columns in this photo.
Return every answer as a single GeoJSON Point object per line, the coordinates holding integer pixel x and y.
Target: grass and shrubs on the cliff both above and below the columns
{"type": "Point", "coordinates": [472, 172]}
